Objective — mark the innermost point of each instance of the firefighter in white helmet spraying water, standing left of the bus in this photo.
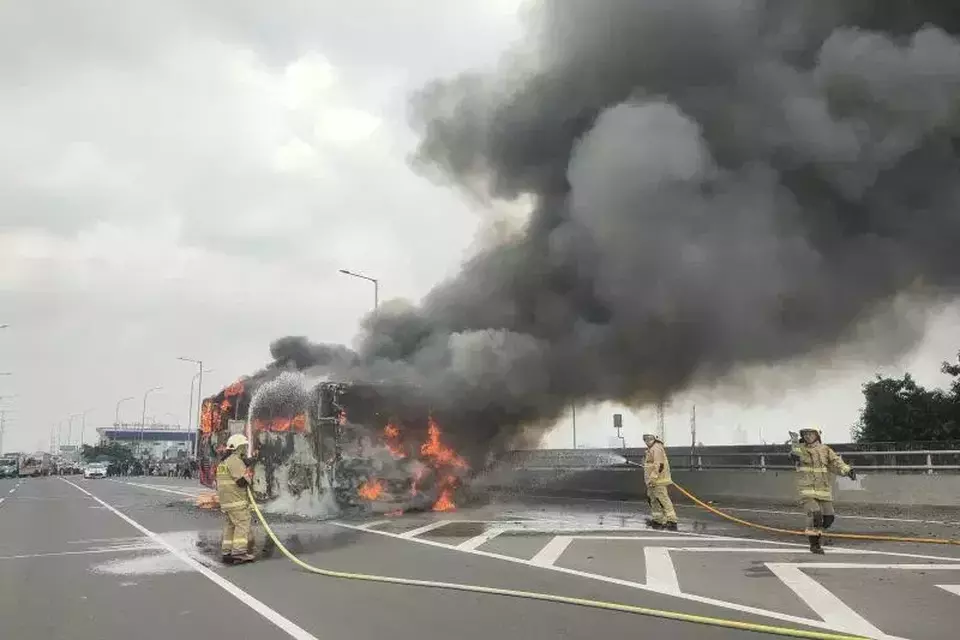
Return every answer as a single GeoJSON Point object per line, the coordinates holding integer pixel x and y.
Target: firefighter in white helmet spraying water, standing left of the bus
{"type": "Point", "coordinates": [233, 477]}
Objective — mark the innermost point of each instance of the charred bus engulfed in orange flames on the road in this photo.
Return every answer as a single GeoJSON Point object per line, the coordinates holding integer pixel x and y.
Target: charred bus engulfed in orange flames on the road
{"type": "Point", "coordinates": [321, 446]}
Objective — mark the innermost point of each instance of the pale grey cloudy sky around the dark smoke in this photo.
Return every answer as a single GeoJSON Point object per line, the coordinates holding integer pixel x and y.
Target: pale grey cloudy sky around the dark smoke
{"type": "Point", "coordinates": [185, 178]}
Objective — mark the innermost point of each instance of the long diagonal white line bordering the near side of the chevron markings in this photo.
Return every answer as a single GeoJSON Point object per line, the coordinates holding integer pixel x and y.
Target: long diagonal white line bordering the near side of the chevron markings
{"type": "Point", "coordinates": [733, 606]}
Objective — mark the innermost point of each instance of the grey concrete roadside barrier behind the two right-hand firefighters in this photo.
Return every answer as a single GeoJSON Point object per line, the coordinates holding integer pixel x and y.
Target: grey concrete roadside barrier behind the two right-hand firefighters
{"type": "Point", "coordinates": [769, 487]}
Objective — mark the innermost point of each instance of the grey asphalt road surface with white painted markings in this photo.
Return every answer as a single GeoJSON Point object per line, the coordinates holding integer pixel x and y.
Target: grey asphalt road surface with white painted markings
{"type": "Point", "coordinates": [112, 560]}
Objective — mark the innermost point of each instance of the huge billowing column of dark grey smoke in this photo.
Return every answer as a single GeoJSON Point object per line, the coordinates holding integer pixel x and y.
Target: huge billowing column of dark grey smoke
{"type": "Point", "coordinates": [716, 184]}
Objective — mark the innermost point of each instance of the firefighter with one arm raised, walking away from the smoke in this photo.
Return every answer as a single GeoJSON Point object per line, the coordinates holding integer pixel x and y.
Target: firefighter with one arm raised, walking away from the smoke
{"type": "Point", "coordinates": [815, 462]}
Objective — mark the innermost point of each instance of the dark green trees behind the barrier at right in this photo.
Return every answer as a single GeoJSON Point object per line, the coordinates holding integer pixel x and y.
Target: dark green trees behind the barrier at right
{"type": "Point", "coordinates": [900, 410]}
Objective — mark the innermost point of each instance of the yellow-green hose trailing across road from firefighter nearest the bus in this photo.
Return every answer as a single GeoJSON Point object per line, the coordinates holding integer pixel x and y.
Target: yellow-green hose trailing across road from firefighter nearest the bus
{"type": "Point", "coordinates": [550, 597]}
